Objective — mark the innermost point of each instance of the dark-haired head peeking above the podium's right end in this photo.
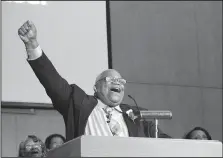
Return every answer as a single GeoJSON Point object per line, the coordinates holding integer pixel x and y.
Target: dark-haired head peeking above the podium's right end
{"type": "Point", "coordinates": [198, 133]}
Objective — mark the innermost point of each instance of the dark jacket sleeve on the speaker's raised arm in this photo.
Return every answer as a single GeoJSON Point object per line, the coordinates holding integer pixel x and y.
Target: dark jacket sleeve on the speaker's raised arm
{"type": "Point", "coordinates": [56, 87]}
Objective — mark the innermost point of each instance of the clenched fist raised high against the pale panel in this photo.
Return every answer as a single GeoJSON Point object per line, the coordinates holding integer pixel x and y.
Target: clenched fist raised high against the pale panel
{"type": "Point", "coordinates": [27, 32]}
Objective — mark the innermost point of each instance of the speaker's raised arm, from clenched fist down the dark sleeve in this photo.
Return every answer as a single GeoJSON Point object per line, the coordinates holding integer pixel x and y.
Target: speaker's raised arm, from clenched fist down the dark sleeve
{"type": "Point", "coordinates": [56, 87]}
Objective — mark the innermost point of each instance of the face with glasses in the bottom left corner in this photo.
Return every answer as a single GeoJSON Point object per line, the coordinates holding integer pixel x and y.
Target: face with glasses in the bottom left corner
{"type": "Point", "coordinates": [32, 149]}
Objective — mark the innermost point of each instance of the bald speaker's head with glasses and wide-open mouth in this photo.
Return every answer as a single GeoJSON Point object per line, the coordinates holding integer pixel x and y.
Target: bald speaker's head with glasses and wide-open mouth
{"type": "Point", "coordinates": [110, 88]}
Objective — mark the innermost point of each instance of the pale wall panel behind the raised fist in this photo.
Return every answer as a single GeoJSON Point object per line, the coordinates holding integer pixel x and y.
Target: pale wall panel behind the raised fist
{"type": "Point", "coordinates": [73, 35]}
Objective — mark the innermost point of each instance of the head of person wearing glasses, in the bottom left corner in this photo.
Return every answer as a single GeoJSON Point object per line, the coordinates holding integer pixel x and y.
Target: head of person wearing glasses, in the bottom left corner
{"type": "Point", "coordinates": [34, 147]}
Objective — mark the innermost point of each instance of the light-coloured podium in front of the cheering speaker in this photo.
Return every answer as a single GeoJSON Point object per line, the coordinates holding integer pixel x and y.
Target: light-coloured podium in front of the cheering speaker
{"type": "Point", "coordinates": [92, 146]}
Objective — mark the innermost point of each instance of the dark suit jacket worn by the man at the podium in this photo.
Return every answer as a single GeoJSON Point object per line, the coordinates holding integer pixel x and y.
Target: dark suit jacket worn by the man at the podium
{"type": "Point", "coordinates": [75, 105]}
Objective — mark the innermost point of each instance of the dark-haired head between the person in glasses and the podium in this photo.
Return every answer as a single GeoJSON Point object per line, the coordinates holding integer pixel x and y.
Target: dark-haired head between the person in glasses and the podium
{"type": "Point", "coordinates": [53, 141]}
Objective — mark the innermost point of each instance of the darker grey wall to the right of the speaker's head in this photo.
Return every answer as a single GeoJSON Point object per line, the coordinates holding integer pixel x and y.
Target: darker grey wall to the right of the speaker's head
{"type": "Point", "coordinates": [171, 55]}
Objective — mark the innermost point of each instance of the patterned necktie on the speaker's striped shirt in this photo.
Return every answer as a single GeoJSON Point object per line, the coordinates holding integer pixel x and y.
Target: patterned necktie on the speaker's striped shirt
{"type": "Point", "coordinates": [113, 124]}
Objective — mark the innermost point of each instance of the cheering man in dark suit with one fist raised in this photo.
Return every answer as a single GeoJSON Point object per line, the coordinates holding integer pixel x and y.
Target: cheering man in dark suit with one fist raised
{"type": "Point", "coordinates": [98, 115]}
